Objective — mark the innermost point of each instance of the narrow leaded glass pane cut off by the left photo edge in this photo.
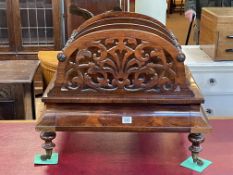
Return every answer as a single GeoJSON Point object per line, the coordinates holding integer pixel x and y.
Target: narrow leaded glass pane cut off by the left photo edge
{"type": "Point", "coordinates": [4, 40]}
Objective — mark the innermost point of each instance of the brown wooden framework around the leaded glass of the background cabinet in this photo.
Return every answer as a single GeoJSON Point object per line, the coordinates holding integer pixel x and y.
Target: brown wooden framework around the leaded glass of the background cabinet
{"type": "Point", "coordinates": [16, 50]}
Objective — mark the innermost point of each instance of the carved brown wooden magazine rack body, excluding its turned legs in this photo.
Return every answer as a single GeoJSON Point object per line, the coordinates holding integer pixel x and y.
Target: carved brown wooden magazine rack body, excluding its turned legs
{"type": "Point", "coordinates": [117, 64]}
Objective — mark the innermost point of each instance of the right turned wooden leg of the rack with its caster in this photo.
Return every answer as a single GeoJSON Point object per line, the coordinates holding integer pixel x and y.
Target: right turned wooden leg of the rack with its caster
{"type": "Point", "coordinates": [195, 148]}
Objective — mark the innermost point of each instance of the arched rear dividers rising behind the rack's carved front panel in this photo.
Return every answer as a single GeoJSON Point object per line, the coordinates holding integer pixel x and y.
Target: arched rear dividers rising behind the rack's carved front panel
{"type": "Point", "coordinates": [124, 18]}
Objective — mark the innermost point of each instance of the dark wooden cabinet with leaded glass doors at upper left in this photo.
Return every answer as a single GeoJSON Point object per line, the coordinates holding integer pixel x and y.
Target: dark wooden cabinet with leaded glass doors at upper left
{"type": "Point", "coordinates": [28, 26]}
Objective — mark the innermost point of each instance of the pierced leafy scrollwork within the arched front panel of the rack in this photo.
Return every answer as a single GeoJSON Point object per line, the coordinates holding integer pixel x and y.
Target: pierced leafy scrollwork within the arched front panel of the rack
{"type": "Point", "coordinates": [125, 64]}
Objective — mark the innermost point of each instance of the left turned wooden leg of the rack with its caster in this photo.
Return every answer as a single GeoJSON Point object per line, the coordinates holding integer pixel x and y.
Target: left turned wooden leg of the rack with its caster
{"type": "Point", "coordinates": [48, 145]}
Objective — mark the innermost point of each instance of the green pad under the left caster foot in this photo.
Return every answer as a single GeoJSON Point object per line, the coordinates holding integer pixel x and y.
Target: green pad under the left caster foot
{"type": "Point", "coordinates": [52, 161]}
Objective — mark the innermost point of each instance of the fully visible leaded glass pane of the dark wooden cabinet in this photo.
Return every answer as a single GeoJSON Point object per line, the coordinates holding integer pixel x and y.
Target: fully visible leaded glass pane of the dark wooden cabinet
{"type": "Point", "coordinates": [36, 22]}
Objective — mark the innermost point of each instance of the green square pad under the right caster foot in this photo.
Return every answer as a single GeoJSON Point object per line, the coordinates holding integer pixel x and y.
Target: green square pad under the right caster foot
{"type": "Point", "coordinates": [188, 163]}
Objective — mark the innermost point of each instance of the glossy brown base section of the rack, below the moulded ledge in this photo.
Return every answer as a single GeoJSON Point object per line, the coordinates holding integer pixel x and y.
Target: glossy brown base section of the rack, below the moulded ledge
{"type": "Point", "coordinates": [105, 117]}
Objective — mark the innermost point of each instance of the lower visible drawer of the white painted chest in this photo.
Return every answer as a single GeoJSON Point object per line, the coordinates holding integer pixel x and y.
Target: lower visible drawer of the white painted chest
{"type": "Point", "coordinates": [218, 105]}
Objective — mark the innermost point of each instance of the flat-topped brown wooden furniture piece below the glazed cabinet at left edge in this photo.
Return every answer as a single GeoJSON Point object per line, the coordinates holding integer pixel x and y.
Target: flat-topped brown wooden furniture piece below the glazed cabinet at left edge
{"type": "Point", "coordinates": [17, 89]}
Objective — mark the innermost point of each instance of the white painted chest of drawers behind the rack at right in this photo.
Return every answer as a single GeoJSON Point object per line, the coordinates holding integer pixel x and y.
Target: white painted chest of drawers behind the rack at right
{"type": "Point", "coordinates": [214, 80]}
